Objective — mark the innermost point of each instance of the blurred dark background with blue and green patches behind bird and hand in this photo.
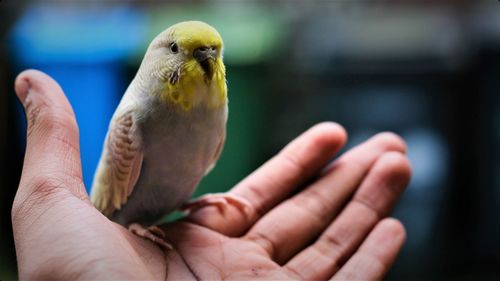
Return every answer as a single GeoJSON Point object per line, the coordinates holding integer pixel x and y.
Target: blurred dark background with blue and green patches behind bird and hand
{"type": "Point", "coordinates": [428, 71]}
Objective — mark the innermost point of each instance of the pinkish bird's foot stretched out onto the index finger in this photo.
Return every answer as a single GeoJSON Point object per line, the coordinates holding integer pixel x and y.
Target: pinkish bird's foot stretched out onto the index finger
{"type": "Point", "coordinates": [220, 200]}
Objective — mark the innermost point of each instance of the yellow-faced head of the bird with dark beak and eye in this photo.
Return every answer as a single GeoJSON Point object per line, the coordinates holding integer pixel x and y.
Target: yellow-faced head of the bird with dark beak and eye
{"type": "Point", "coordinates": [187, 58]}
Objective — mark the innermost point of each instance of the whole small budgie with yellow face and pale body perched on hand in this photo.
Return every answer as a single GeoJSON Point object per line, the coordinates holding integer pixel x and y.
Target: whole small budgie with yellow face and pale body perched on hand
{"type": "Point", "coordinates": [167, 132]}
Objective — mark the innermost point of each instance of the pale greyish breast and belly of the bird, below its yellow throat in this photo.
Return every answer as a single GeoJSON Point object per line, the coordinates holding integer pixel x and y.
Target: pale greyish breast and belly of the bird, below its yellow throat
{"type": "Point", "coordinates": [178, 149]}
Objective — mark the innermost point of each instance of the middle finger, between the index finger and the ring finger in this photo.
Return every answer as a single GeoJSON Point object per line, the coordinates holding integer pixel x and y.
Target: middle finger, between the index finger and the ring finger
{"type": "Point", "coordinates": [291, 226]}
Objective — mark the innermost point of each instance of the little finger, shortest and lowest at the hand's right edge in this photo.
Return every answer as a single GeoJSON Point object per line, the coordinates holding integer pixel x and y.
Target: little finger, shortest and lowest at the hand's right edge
{"type": "Point", "coordinates": [377, 253]}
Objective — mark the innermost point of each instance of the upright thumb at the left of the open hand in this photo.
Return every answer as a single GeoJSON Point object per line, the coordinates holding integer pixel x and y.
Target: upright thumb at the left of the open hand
{"type": "Point", "coordinates": [52, 158]}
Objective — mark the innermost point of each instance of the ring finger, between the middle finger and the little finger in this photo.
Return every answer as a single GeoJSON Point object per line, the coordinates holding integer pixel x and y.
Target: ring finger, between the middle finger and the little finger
{"type": "Point", "coordinates": [374, 199]}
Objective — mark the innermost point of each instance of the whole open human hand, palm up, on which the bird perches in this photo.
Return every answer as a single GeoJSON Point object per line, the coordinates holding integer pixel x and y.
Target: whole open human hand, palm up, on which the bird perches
{"type": "Point", "coordinates": [310, 220]}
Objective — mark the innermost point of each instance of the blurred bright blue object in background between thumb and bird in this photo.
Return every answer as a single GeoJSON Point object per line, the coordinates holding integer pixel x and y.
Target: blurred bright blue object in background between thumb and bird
{"type": "Point", "coordinates": [84, 50]}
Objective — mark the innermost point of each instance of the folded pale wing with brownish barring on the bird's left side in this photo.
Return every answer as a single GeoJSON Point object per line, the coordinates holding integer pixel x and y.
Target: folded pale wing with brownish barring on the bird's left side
{"type": "Point", "coordinates": [120, 164]}
